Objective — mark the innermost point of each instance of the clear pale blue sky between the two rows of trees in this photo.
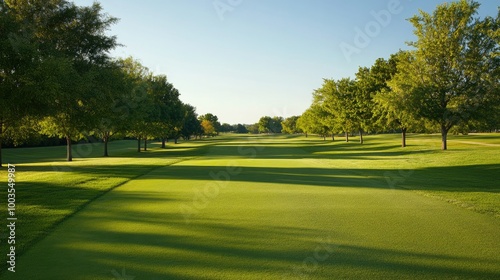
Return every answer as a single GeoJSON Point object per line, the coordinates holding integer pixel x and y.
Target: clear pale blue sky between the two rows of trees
{"type": "Point", "coordinates": [243, 59]}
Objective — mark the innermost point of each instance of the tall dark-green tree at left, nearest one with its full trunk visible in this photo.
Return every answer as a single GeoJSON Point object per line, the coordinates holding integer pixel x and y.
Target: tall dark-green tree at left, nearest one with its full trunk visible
{"type": "Point", "coordinates": [71, 40]}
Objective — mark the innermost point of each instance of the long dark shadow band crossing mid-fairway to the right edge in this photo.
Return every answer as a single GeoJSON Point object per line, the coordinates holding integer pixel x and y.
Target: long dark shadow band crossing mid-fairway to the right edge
{"type": "Point", "coordinates": [455, 178]}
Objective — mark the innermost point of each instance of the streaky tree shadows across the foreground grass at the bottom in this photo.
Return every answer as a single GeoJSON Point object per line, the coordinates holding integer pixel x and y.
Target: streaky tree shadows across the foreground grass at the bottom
{"type": "Point", "coordinates": [221, 249]}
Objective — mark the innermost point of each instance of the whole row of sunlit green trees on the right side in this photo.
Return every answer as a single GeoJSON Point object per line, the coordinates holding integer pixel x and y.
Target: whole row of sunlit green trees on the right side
{"type": "Point", "coordinates": [449, 79]}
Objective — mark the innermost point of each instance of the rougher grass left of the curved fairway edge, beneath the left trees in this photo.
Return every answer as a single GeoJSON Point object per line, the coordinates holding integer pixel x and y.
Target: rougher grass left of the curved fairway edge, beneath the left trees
{"type": "Point", "coordinates": [49, 189]}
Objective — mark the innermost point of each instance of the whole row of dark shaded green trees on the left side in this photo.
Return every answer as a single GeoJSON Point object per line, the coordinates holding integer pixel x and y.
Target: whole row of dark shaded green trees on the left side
{"type": "Point", "coordinates": [58, 79]}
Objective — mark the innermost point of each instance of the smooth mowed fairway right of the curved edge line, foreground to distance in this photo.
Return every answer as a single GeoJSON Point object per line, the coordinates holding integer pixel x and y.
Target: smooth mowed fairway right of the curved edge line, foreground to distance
{"type": "Point", "coordinates": [277, 215]}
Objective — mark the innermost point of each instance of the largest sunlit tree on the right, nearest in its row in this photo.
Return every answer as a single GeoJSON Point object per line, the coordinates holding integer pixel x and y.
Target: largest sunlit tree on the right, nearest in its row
{"type": "Point", "coordinates": [453, 74]}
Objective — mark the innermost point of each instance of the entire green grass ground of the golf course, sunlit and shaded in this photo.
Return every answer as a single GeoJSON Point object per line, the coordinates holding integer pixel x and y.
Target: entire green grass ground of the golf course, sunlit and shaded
{"type": "Point", "coordinates": [257, 207]}
